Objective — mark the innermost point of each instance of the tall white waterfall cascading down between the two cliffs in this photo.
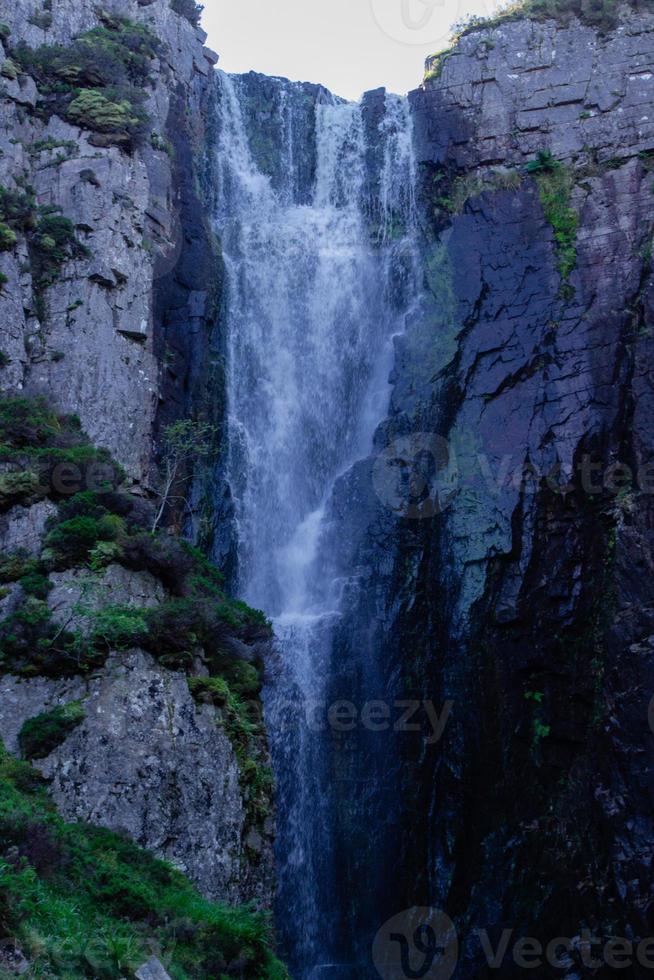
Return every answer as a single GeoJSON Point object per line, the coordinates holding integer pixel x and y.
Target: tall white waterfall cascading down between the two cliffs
{"type": "Point", "coordinates": [314, 302]}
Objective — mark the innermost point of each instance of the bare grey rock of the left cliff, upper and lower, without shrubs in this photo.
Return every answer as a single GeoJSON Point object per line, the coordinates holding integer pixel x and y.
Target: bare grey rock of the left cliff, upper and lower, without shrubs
{"type": "Point", "coordinates": [122, 333]}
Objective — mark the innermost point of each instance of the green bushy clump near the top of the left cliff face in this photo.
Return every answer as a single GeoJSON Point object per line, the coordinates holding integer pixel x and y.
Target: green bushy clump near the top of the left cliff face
{"type": "Point", "coordinates": [98, 81]}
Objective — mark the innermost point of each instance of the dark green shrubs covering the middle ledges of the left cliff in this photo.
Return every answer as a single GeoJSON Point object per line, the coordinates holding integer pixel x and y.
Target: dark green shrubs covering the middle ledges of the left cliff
{"type": "Point", "coordinates": [98, 526]}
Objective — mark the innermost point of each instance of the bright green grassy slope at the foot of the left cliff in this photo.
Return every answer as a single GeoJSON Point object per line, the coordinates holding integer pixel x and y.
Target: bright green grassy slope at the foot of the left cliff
{"type": "Point", "coordinates": [82, 901]}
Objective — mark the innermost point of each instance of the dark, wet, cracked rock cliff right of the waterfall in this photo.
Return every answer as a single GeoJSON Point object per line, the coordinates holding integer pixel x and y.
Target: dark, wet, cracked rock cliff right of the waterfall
{"type": "Point", "coordinates": [521, 408]}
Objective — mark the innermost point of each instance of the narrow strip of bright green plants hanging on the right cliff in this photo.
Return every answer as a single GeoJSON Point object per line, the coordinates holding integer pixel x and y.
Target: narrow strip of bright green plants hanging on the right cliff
{"type": "Point", "coordinates": [555, 182]}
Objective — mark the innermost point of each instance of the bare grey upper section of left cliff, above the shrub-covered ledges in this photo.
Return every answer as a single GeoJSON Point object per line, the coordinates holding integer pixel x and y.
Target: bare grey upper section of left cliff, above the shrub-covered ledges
{"type": "Point", "coordinates": [109, 314]}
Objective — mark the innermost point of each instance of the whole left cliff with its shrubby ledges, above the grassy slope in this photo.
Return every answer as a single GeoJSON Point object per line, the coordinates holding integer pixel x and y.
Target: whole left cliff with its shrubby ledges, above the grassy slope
{"type": "Point", "coordinates": [110, 290]}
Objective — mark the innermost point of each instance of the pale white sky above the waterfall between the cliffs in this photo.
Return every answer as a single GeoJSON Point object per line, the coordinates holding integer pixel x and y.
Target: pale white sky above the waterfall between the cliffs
{"type": "Point", "coordinates": [348, 45]}
